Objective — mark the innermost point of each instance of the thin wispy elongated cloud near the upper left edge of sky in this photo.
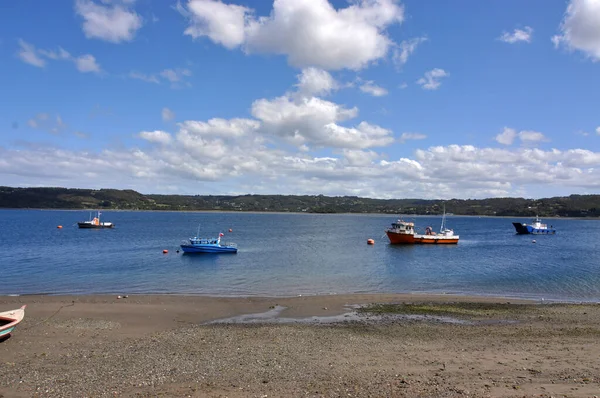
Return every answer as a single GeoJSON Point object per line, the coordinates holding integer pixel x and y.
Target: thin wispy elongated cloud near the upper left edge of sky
{"type": "Point", "coordinates": [37, 57]}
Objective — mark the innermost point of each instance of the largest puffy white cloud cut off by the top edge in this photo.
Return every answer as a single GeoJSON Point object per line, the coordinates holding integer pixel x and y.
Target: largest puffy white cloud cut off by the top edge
{"type": "Point", "coordinates": [305, 31]}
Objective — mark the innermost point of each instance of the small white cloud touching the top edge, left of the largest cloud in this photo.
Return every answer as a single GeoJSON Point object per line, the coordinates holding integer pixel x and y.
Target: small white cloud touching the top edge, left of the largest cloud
{"type": "Point", "coordinates": [111, 21]}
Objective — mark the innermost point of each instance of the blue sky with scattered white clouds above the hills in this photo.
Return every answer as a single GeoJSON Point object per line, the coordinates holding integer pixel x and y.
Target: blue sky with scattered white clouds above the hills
{"type": "Point", "coordinates": [464, 99]}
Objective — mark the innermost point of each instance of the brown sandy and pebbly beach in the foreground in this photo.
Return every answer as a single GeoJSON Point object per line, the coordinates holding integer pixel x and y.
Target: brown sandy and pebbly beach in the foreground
{"type": "Point", "coordinates": [411, 345]}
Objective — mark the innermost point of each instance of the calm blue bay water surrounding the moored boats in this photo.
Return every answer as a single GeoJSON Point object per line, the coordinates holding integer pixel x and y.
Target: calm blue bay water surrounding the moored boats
{"type": "Point", "coordinates": [292, 254]}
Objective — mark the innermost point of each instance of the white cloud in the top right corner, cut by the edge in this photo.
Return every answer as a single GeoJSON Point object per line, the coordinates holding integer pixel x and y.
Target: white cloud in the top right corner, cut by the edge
{"type": "Point", "coordinates": [580, 28]}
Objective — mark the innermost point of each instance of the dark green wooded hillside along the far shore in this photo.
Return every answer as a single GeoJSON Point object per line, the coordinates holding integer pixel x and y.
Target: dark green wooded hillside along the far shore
{"type": "Point", "coordinates": [68, 198]}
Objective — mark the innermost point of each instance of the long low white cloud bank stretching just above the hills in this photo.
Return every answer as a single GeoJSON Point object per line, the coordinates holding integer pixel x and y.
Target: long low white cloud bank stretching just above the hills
{"type": "Point", "coordinates": [452, 171]}
